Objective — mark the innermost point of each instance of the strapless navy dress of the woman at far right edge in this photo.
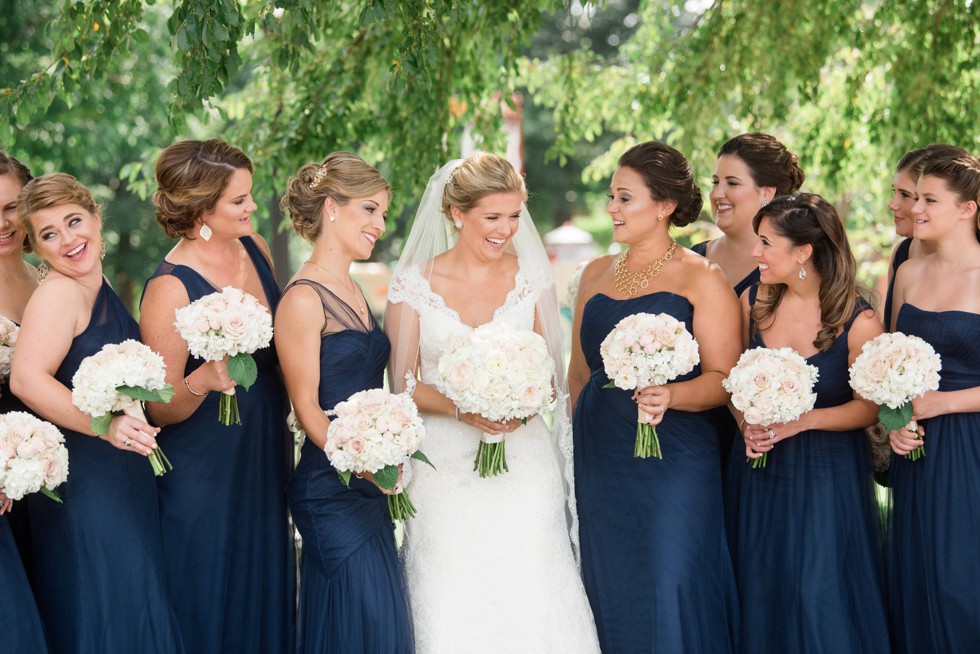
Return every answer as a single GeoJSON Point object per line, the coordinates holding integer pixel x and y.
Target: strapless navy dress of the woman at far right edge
{"type": "Point", "coordinates": [934, 579]}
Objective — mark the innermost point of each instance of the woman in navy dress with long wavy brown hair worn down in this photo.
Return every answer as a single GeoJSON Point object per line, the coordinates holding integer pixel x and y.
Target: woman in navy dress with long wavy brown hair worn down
{"type": "Point", "coordinates": [804, 532]}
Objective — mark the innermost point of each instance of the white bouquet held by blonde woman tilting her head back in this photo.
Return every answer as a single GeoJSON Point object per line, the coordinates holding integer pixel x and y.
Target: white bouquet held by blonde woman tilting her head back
{"type": "Point", "coordinates": [116, 380]}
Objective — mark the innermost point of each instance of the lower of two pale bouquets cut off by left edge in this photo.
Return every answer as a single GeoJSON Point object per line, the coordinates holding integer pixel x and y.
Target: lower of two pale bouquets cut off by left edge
{"type": "Point", "coordinates": [33, 456]}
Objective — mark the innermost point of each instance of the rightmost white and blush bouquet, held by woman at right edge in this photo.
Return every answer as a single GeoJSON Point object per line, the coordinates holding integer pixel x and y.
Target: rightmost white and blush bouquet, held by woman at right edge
{"type": "Point", "coordinates": [891, 371]}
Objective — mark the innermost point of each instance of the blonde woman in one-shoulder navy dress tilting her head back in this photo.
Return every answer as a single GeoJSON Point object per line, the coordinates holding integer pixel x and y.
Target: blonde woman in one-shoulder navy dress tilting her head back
{"type": "Point", "coordinates": [98, 561]}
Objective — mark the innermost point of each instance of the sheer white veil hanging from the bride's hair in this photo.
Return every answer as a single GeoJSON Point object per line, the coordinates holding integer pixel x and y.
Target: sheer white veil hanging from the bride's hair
{"type": "Point", "coordinates": [431, 235]}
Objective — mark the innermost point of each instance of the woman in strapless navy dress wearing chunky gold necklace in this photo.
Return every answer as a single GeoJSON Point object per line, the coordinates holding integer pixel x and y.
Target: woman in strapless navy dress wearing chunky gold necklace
{"type": "Point", "coordinates": [654, 555]}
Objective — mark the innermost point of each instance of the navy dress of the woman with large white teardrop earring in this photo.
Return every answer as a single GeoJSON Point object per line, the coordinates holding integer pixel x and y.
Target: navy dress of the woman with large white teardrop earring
{"type": "Point", "coordinates": [226, 537]}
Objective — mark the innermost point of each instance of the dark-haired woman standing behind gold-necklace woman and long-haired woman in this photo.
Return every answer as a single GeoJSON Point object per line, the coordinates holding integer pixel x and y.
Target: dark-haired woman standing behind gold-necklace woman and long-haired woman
{"type": "Point", "coordinates": [752, 169]}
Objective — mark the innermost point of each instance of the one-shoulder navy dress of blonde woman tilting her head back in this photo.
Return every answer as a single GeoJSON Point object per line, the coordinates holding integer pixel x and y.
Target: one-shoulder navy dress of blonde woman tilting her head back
{"type": "Point", "coordinates": [98, 561]}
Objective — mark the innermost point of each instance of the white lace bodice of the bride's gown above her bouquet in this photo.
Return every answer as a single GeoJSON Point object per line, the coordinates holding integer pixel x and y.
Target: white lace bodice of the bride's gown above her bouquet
{"type": "Point", "coordinates": [439, 324]}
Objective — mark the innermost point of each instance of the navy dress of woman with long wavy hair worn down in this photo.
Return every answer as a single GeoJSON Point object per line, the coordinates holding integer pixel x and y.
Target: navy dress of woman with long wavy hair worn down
{"type": "Point", "coordinates": [805, 535]}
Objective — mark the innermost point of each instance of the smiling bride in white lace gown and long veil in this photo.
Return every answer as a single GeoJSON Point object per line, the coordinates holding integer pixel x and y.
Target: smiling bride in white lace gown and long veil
{"type": "Point", "coordinates": [489, 561]}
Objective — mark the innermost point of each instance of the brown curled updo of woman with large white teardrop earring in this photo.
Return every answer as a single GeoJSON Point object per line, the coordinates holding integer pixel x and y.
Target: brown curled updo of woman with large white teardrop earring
{"type": "Point", "coordinates": [191, 176]}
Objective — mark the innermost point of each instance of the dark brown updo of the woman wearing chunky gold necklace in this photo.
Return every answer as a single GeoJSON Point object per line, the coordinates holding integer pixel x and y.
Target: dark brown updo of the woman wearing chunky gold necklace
{"type": "Point", "coordinates": [668, 176]}
